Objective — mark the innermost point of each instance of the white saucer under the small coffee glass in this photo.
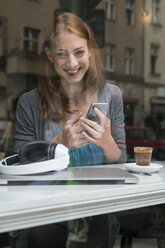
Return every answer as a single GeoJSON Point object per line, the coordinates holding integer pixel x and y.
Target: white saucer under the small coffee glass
{"type": "Point", "coordinates": [152, 168]}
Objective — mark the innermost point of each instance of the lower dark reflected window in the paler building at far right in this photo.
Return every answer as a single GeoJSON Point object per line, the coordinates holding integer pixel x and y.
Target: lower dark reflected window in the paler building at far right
{"type": "Point", "coordinates": [154, 59]}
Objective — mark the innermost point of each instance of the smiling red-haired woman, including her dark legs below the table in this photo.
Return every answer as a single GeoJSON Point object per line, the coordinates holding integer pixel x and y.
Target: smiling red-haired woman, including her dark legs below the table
{"type": "Point", "coordinates": [72, 78]}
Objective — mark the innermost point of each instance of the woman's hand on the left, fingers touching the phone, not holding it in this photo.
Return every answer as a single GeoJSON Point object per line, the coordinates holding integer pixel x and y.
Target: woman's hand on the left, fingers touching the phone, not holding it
{"type": "Point", "coordinates": [71, 134]}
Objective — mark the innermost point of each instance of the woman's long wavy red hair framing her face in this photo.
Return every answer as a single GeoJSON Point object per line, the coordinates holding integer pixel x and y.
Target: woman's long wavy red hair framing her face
{"type": "Point", "coordinates": [54, 100]}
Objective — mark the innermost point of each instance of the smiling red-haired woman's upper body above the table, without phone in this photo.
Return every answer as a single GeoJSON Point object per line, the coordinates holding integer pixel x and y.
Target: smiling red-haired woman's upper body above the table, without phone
{"type": "Point", "coordinates": [74, 79]}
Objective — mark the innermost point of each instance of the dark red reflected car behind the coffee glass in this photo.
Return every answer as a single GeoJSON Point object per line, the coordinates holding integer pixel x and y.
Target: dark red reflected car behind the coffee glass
{"type": "Point", "coordinates": [144, 136]}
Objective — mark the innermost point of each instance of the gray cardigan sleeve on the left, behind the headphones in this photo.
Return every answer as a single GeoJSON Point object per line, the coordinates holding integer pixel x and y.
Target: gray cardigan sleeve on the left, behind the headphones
{"type": "Point", "coordinates": [28, 124]}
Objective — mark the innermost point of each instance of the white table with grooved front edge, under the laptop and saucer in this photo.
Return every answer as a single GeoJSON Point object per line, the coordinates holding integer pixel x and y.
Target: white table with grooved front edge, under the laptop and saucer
{"type": "Point", "coordinates": [23, 206]}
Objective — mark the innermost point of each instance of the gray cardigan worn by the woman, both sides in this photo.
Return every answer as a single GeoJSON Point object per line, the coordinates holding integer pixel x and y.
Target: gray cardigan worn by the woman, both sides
{"type": "Point", "coordinates": [29, 125]}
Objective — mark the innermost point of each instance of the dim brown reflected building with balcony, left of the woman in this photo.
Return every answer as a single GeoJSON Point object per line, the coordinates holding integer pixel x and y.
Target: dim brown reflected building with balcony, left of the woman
{"type": "Point", "coordinates": [22, 28]}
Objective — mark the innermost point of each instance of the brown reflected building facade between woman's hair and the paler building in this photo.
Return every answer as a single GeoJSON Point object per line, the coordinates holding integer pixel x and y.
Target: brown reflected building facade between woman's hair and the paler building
{"type": "Point", "coordinates": [123, 54]}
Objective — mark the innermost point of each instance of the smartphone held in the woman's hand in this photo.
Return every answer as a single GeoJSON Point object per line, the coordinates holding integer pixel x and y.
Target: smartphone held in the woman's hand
{"type": "Point", "coordinates": [91, 115]}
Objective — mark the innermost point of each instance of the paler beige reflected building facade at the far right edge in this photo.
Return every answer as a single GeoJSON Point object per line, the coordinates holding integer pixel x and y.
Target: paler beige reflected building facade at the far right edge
{"type": "Point", "coordinates": [154, 60]}
